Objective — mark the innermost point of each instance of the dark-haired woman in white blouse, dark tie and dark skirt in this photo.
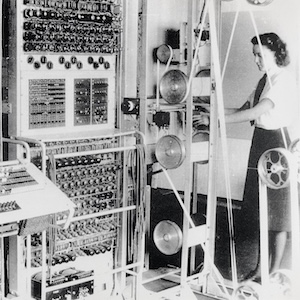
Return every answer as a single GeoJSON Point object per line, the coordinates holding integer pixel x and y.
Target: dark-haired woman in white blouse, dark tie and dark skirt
{"type": "Point", "coordinates": [270, 108]}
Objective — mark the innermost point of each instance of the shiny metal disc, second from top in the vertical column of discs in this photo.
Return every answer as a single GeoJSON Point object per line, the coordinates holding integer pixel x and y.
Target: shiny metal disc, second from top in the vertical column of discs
{"type": "Point", "coordinates": [173, 86]}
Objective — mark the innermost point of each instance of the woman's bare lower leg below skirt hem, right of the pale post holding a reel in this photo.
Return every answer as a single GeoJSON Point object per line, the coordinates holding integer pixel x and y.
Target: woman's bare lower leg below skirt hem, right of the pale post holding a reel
{"type": "Point", "coordinates": [277, 247]}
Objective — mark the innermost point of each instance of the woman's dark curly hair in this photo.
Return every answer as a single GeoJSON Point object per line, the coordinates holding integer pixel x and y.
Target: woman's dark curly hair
{"type": "Point", "coordinates": [273, 42]}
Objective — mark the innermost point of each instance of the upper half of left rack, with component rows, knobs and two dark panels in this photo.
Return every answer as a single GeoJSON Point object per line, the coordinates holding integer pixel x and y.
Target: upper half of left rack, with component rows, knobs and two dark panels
{"type": "Point", "coordinates": [64, 76]}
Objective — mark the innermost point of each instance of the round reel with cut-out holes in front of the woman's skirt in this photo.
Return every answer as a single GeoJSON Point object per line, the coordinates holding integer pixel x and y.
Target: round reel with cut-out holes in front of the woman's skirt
{"type": "Point", "coordinates": [274, 167]}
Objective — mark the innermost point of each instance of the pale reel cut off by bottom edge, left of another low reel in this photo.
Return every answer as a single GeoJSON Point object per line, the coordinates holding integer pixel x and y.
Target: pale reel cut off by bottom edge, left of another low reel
{"type": "Point", "coordinates": [248, 291]}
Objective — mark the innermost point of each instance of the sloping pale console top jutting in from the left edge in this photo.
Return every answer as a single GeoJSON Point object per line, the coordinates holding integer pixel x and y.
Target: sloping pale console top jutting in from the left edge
{"type": "Point", "coordinates": [22, 187]}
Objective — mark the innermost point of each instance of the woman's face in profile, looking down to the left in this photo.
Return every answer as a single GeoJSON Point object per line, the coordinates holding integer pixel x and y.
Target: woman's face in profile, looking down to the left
{"type": "Point", "coordinates": [266, 60]}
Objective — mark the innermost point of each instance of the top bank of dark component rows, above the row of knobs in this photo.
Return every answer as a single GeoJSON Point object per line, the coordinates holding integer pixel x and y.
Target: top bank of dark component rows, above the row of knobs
{"type": "Point", "coordinates": [71, 26]}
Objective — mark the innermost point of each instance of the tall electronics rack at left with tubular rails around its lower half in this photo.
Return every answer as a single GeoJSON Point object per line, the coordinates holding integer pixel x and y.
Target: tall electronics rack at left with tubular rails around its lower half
{"type": "Point", "coordinates": [62, 76]}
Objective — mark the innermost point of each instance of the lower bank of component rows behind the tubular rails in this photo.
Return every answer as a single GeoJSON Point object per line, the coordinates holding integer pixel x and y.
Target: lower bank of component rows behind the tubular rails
{"type": "Point", "coordinates": [91, 182]}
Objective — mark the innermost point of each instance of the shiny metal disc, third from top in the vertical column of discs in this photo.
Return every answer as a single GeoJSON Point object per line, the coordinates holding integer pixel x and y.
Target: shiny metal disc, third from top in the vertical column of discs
{"type": "Point", "coordinates": [170, 151]}
